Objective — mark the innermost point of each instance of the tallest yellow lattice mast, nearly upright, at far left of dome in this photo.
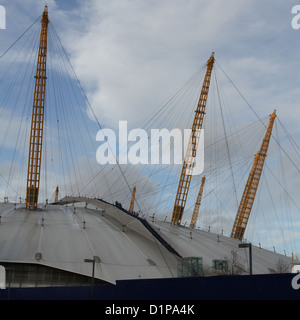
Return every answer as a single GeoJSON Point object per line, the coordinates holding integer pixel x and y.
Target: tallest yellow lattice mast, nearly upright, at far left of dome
{"type": "Point", "coordinates": [37, 122]}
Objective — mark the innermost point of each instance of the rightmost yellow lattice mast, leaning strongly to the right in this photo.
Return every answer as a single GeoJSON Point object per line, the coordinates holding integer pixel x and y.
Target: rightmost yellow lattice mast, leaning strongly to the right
{"type": "Point", "coordinates": [248, 197]}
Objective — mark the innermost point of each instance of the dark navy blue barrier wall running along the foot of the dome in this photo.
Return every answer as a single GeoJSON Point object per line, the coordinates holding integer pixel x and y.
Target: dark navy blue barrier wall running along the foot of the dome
{"type": "Point", "coordinates": [266, 287]}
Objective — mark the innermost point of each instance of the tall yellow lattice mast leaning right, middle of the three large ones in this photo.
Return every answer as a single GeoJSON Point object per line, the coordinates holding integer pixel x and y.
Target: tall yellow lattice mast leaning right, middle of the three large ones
{"type": "Point", "coordinates": [189, 159]}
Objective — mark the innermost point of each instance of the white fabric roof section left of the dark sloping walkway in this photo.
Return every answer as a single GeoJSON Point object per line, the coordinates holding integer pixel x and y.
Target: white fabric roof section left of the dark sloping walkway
{"type": "Point", "coordinates": [65, 239]}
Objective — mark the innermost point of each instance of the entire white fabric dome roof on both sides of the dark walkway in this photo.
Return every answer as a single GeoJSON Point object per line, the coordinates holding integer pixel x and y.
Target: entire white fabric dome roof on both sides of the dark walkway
{"type": "Point", "coordinates": [62, 237]}
